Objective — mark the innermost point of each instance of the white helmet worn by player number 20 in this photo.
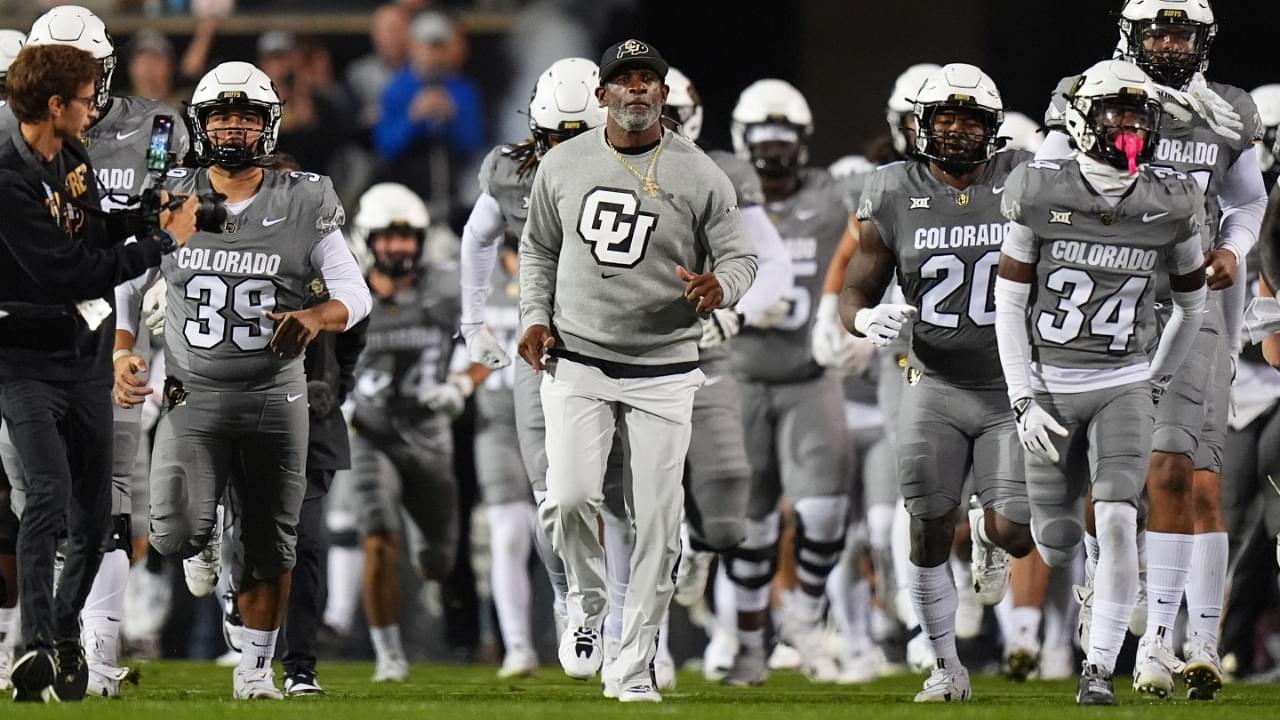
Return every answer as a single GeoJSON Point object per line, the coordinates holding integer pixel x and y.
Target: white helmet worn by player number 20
{"type": "Point", "coordinates": [962, 89]}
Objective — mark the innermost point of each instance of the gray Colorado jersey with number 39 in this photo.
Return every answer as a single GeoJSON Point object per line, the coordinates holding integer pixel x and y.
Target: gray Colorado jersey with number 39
{"type": "Point", "coordinates": [222, 286]}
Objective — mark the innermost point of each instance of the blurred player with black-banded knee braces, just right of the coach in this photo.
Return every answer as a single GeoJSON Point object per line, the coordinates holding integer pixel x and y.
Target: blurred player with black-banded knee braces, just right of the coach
{"type": "Point", "coordinates": [793, 411]}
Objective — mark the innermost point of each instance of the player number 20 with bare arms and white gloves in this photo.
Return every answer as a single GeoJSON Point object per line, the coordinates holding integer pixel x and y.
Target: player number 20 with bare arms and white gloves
{"type": "Point", "coordinates": [938, 222]}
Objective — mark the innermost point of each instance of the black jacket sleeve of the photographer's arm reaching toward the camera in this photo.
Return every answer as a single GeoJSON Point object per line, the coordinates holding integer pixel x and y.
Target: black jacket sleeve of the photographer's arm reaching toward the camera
{"type": "Point", "coordinates": [67, 270]}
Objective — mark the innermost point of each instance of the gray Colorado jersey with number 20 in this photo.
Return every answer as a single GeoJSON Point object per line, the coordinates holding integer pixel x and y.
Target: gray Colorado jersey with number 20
{"type": "Point", "coordinates": [947, 244]}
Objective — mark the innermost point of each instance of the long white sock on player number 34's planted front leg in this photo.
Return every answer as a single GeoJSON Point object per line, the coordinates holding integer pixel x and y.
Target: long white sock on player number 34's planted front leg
{"type": "Point", "coordinates": [1116, 584]}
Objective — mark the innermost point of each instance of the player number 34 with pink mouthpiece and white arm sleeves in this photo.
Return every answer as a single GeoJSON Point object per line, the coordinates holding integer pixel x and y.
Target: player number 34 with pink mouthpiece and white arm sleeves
{"type": "Point", "coordinates": [1075, 284]}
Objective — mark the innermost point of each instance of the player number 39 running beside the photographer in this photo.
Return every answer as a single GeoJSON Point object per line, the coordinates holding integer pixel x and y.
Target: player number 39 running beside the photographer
{"type": "Point", "coordinates": [235, 334]}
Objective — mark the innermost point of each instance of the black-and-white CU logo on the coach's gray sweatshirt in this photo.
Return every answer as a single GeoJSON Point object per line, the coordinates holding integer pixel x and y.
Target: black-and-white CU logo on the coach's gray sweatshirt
{"type": "Point", "coordinates": [611, 222]}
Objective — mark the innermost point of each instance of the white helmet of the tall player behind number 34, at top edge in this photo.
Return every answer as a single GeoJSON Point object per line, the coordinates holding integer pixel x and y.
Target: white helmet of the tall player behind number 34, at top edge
{"type": "Point", "coordinates": [1159, 20]}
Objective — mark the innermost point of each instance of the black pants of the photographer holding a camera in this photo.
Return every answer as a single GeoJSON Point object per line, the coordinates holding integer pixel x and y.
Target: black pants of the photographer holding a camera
{"type": "Point", "coordinates": [63, 436]}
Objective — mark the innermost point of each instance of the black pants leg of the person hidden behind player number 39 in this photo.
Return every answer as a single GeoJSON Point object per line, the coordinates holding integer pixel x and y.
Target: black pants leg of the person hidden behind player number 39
{"type": "Point", "coordinates": [308, 595]}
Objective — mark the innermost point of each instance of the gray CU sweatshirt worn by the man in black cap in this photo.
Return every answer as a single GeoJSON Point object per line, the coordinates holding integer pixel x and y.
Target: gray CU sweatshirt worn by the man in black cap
{"type": "Point", "coordinates": [598, 257]}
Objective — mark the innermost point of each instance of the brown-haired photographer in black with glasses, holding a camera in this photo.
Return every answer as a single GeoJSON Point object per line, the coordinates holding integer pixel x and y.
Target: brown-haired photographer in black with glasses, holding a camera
{"type": "Point", "coordinates": [61, 259]}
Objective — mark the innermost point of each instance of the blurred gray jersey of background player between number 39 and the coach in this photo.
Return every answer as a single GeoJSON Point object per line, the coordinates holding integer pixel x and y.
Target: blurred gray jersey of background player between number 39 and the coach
{"type": "Point", "coordinates": [409, 347]}
